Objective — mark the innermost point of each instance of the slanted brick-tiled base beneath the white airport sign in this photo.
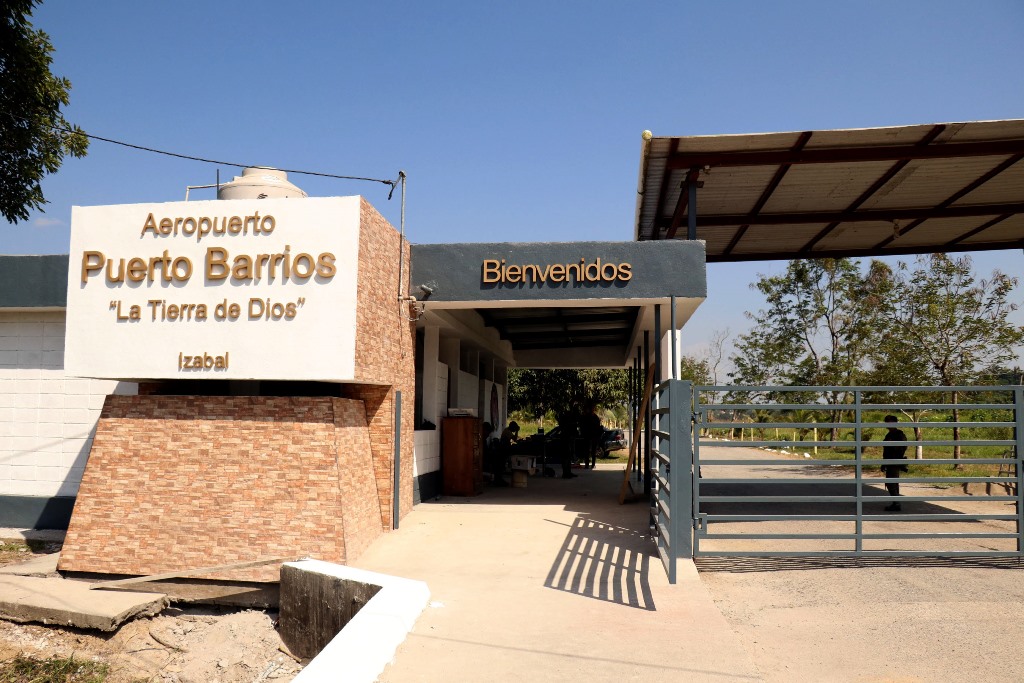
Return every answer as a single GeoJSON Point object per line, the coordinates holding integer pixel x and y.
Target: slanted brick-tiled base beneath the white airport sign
{"type": "Point", "coordinates": [179, 483]}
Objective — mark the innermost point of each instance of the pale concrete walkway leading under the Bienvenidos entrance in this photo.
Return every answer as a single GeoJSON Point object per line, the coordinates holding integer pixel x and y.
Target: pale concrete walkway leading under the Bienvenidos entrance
{"type": "Point", "coordinates": [556, 582]}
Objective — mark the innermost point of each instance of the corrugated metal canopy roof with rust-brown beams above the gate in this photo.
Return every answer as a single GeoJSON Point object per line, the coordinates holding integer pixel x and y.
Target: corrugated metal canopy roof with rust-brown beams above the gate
{"type": "Point", "coordinates": [908, 190]}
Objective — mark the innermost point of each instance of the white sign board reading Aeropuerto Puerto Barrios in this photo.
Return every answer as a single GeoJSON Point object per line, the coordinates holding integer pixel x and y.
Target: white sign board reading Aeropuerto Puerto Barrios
{"type": "Point", "coordinates": [240, 289]}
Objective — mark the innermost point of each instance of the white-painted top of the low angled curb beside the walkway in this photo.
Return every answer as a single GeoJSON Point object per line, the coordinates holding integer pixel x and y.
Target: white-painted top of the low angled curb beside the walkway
{"type": "Point", "coordinates": [368, 644]}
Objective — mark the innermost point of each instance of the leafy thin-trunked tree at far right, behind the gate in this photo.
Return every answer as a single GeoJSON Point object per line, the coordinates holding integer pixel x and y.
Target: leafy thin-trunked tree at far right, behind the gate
{"type": "Point", "coordinates": [943, 326]}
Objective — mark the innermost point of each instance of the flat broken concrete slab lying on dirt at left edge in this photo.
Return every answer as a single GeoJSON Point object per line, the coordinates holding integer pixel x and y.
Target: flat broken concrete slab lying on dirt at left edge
{"type": "Point", "coordinates": [72, 604]}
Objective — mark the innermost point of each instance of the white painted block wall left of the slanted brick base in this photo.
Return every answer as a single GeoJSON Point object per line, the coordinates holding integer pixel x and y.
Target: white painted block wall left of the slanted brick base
{"type": "Point", "coordinates": [48, 419]}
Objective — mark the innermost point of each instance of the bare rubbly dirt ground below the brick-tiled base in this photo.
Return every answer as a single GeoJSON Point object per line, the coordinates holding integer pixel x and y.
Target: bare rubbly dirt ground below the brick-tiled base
{"type": "Point", "coordinates": [184, 645]}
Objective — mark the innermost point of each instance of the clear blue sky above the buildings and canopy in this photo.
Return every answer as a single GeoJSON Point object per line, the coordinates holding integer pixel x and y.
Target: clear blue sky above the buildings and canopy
{"type": "Point", "coordinates": [515, 122]}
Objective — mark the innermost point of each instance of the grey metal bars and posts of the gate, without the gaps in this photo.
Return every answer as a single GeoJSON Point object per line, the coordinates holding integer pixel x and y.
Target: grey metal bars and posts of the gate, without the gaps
{"type": "Point", "coordinates": [680, 524]}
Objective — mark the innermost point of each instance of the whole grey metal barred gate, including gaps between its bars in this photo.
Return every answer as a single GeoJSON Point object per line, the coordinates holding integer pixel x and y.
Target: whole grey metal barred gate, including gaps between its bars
{"type": "Point", "coordinates": [736, 474]}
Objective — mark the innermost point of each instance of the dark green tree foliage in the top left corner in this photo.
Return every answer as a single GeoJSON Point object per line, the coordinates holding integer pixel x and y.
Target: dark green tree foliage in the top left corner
{"type": "Point", "coordinates": [34, 136]}
